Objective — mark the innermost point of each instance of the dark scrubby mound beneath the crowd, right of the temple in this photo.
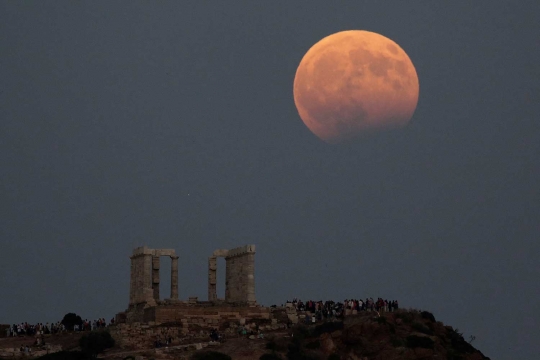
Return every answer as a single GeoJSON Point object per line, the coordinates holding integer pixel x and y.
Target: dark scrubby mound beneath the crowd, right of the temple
{"type": "Point", "coordinates": [400, 335]}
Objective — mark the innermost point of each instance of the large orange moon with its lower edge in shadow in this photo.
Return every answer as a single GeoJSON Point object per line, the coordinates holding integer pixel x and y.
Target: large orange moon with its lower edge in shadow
{"type": "Point", "coordinates": [354, 83]}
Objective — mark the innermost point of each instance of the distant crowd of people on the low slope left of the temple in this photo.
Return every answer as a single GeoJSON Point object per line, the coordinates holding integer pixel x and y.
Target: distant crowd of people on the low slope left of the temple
{"type": "Point", "coordinates": [26, 329]}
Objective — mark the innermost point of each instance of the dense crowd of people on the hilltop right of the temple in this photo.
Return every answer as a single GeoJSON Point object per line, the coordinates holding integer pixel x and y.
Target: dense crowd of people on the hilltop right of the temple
{"type": "Point", "coordinates": [330, 309]}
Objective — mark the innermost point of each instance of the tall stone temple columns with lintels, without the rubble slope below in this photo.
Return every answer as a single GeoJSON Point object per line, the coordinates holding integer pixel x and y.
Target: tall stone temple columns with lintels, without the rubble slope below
{"type": "Point", "coordinates": [145, 304]}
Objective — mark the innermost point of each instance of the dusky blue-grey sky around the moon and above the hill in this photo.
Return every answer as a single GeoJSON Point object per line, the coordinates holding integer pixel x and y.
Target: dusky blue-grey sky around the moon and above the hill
{"type": "Point", "coordinates": [173, 125]}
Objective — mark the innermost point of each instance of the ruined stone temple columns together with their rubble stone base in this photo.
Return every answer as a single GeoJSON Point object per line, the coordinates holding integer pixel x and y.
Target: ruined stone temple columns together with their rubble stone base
{"type": "Point", "coordinates": [148, 317]}
